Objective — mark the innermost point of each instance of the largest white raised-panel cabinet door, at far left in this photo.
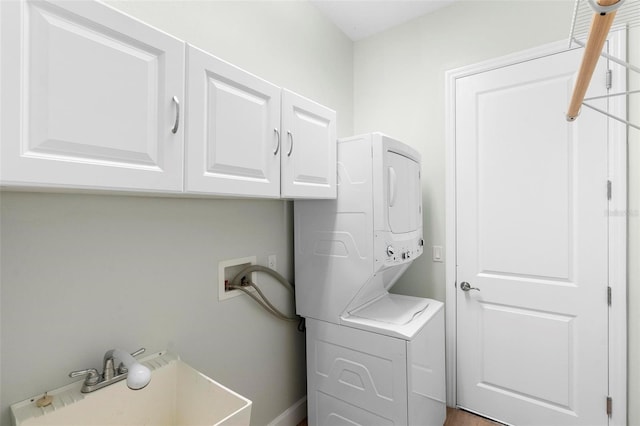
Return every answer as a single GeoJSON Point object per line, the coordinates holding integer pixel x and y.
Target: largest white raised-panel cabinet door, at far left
{"type": "Point", "coordinates": [87, 98]}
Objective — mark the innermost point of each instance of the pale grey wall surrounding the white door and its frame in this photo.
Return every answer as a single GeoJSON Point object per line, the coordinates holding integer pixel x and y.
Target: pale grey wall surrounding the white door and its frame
{"type": "Point", "coordinates": [399, 89]}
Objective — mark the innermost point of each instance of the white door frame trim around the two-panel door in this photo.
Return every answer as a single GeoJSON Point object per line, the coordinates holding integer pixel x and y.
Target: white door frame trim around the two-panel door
{"type": "Point", "coordinates": [617, 262]}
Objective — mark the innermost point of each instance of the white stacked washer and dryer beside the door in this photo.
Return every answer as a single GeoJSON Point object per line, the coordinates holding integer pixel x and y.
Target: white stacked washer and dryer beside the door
{"type": "Point", "coordinates": [373, 358]}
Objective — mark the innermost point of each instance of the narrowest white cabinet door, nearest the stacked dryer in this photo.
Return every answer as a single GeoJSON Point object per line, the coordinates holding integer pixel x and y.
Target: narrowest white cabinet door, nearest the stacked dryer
{"type": "Point", "coordinates": [308, 148]}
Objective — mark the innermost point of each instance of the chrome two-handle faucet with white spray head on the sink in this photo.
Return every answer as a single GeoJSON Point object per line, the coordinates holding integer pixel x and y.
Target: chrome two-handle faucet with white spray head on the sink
{"type": "Point", "coordinates": [137, 375]}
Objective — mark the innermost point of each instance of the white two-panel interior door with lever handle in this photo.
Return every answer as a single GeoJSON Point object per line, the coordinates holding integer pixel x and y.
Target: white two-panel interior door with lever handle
{"type": "Point", "coordinates": [532, 240]}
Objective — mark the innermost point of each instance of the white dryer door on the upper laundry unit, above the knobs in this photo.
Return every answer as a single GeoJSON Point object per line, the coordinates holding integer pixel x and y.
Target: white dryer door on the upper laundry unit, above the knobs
{"type": "Point", "coordinates": [402, 183]}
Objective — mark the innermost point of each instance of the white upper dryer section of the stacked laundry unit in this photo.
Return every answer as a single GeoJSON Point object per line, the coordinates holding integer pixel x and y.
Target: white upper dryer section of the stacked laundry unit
{"type": "Point", "coordinates": [351, 250]}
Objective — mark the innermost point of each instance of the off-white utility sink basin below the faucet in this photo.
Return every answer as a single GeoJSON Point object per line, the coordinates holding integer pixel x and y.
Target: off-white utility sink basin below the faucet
{"type": "Point", "coordinates": [176, 395]}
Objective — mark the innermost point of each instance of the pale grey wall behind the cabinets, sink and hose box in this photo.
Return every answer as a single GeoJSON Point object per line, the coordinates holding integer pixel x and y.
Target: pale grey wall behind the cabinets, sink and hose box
{"type": "Point", "coordinates": [81, 274]}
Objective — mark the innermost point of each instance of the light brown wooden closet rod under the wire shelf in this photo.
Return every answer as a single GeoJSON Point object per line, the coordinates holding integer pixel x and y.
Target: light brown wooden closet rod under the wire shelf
{"type": "Point", "coordinates": [600, 26]}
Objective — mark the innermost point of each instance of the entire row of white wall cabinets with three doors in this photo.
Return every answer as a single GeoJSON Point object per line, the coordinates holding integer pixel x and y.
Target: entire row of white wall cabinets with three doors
{"type": "Point", "coordinates": [94, 99]}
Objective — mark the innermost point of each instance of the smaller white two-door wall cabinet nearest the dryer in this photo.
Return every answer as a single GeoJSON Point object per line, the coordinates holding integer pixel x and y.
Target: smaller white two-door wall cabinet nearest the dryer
{"type": "Point", "coordinates": [243, 139]}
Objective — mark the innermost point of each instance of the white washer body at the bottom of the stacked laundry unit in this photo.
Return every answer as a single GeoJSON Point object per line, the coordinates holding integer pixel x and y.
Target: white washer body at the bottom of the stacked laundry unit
{"type": "Point", "coordinates": [357, 377]}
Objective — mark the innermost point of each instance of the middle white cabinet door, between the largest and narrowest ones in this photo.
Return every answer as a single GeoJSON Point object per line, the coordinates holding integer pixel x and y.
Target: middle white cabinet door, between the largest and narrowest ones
{"type": "Point", "coordinates": [233, 144]}
